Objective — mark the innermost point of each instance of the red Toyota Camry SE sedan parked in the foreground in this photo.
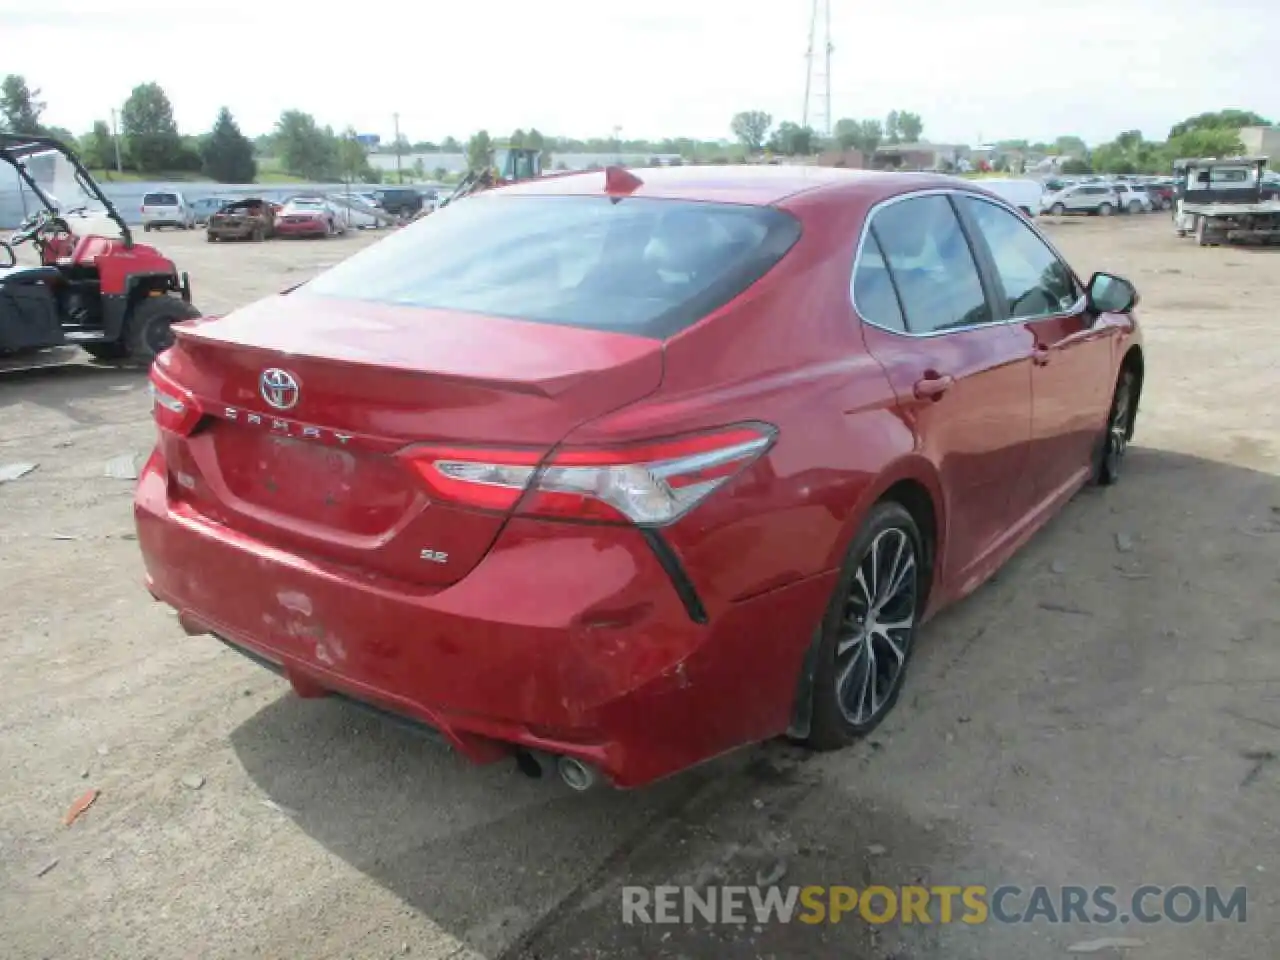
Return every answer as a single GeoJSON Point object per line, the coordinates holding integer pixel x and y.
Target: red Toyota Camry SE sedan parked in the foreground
{"type": "Point", "coordinates": [621, 470]}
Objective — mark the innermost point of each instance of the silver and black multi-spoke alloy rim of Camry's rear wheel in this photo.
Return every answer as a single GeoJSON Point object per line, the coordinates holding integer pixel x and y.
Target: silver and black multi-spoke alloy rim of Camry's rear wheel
{"type": "Point", "coordinates": [877, 629]}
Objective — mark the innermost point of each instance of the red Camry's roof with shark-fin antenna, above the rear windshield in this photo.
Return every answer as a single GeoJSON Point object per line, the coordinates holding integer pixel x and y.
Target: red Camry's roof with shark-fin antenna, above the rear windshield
{"type": "Point", "coordinates": [752, 185]}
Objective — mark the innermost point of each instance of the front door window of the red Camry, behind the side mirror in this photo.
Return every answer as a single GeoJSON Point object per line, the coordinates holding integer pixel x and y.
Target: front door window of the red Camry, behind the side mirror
{"type": "Point", "coordinates": [1036, 282]}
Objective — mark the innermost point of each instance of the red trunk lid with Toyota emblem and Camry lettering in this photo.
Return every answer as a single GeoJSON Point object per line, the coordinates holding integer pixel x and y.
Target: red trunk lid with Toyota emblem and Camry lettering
{"type": "Point", "coordinates": [318, 472]}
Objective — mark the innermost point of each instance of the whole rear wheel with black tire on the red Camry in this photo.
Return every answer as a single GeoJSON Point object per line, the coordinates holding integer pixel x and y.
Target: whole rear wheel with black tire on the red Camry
{"type": "Point", "coordinates": [834, 725]}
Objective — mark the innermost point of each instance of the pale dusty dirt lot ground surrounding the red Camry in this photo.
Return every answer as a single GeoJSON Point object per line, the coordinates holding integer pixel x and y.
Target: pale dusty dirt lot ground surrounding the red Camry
{"type": "Point", "coordinates": [1104, 712]}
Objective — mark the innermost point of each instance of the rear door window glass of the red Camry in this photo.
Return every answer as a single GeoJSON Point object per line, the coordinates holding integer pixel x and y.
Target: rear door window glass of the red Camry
{"type": "Point", "coordinates": [931, 264]}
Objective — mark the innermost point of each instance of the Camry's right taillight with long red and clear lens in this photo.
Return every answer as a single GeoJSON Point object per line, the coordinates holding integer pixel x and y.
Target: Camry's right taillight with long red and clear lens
{"type": "Point", "coordinates": [651, 484]}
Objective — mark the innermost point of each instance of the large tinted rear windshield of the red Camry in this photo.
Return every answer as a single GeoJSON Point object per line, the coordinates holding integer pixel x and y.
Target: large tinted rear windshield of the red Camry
{"type": "Point", "coordinates": [643, 267]}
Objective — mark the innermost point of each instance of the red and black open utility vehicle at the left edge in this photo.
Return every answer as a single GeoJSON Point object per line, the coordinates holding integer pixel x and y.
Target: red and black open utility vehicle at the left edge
{"type": "Point", "coordinates": [94, 287]}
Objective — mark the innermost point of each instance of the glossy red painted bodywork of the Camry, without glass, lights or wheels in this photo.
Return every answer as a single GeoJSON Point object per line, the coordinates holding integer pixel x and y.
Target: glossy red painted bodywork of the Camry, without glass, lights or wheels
{"type": "Point", "coordinates": [569, 637]}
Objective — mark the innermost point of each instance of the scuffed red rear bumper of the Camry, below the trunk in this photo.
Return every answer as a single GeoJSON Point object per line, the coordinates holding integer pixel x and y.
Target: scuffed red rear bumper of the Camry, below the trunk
{"type": "Point", "coordinates": [566, 639]}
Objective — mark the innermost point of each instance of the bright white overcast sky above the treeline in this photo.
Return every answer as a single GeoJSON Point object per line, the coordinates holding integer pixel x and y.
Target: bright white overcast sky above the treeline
{"type": "Point", "coordinates": [990, 71]}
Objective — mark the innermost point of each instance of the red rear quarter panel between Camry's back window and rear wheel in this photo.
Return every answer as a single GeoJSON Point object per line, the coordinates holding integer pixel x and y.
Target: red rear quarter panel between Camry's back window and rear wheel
{"type": "Point", "coordinates": [788, 353]}
